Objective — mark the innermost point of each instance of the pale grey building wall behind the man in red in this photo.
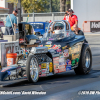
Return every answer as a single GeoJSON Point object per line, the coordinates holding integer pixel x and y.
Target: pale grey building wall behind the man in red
{"type": "Point", "coordinates": [86, 10]}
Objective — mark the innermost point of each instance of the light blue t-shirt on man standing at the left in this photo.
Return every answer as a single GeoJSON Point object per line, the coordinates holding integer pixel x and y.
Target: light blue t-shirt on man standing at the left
{"type": "Point", "coordinates": [13, 19]}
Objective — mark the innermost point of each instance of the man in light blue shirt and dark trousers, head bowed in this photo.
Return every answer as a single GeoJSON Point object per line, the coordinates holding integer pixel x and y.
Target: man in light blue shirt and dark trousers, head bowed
{"type": "Point", "coordinates": [11, 20]}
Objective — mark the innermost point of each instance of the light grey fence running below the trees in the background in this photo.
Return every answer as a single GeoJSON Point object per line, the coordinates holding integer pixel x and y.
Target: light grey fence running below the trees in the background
{"type": "Point", "coordinates": [34, 17]}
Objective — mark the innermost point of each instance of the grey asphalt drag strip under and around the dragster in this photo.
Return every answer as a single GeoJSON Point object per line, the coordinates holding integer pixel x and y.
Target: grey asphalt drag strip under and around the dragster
{"type": "Point", "coordinates": [65, 86]}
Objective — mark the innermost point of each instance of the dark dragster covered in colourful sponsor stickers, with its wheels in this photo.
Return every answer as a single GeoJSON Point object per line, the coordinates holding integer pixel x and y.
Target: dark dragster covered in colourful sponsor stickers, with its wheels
{"type": "Point", "coordinates": [60, 50]}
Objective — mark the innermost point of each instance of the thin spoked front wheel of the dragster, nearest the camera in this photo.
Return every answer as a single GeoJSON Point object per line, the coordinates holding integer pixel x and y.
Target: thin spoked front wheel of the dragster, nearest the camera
{"type": "Point", "coordinates": [32, 69]}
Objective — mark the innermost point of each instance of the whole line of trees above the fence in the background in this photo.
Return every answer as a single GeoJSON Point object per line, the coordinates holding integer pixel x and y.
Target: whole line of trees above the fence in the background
{"type": "Point", "coordinates": [39, 6]}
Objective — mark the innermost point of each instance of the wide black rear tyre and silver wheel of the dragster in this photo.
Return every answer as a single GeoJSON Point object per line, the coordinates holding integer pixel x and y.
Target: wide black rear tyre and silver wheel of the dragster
{"type": "Point", "coordinates": [85, 62]}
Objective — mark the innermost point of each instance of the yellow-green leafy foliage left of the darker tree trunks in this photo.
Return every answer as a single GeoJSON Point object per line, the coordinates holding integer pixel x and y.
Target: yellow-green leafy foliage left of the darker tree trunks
{"type": "Point", "coordinates": [31, 5]}
